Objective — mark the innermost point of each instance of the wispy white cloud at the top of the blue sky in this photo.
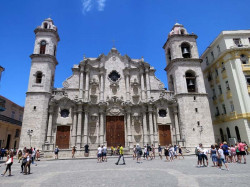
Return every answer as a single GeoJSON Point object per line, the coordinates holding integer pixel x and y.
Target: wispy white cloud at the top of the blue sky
{"type": "Point", "coordinates": [88, 5]}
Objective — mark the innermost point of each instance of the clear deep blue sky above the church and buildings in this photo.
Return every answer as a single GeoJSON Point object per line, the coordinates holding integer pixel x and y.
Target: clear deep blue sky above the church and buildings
{"type": "Point", "coordinates": [139, 27]}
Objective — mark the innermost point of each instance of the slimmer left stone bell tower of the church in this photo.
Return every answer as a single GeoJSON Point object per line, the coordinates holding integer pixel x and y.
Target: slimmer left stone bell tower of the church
{"type": "Point", "coordinates": [41, 82]}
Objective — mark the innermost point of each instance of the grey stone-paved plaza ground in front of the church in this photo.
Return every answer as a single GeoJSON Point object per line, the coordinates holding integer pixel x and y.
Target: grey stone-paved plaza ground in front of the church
{"type": "Point", "coordinates": [87, 172]}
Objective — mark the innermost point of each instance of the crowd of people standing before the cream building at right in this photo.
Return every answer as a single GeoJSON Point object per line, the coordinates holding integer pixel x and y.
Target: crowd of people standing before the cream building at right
{"type": "Point", "coordinates": [222, 154]}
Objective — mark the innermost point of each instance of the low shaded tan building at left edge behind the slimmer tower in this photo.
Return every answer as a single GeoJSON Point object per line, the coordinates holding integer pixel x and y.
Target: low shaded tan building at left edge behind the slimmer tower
{"type": "Point", "coordinates": [10, 124]}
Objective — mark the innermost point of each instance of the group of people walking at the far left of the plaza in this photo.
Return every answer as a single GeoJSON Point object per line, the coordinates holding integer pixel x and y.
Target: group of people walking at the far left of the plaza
{"type": "Point", "coordinates": [26, 157]}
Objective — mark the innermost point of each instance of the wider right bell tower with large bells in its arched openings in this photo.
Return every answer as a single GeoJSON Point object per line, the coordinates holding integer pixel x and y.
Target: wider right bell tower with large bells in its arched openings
{"type": "Point", "coordinates": [185, 79]}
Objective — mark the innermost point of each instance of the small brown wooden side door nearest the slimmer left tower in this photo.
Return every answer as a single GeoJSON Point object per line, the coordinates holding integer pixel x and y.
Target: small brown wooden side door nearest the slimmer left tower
{"type": "Point", "coordinates": [62, 137]}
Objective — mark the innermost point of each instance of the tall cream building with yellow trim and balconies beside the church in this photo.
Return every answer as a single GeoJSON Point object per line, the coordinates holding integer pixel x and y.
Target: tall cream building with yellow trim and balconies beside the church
{"type": "Point", "coordinates": [226, 71]}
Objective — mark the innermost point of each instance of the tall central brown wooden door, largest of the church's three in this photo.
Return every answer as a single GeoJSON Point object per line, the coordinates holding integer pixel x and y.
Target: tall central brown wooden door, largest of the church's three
{"type": "Point", "coordinates": [115, 131]}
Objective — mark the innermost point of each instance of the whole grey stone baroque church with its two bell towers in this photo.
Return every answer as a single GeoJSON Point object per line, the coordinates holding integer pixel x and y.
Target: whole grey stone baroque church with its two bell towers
{"type": "Point", "coordinates": [114, 99]}
